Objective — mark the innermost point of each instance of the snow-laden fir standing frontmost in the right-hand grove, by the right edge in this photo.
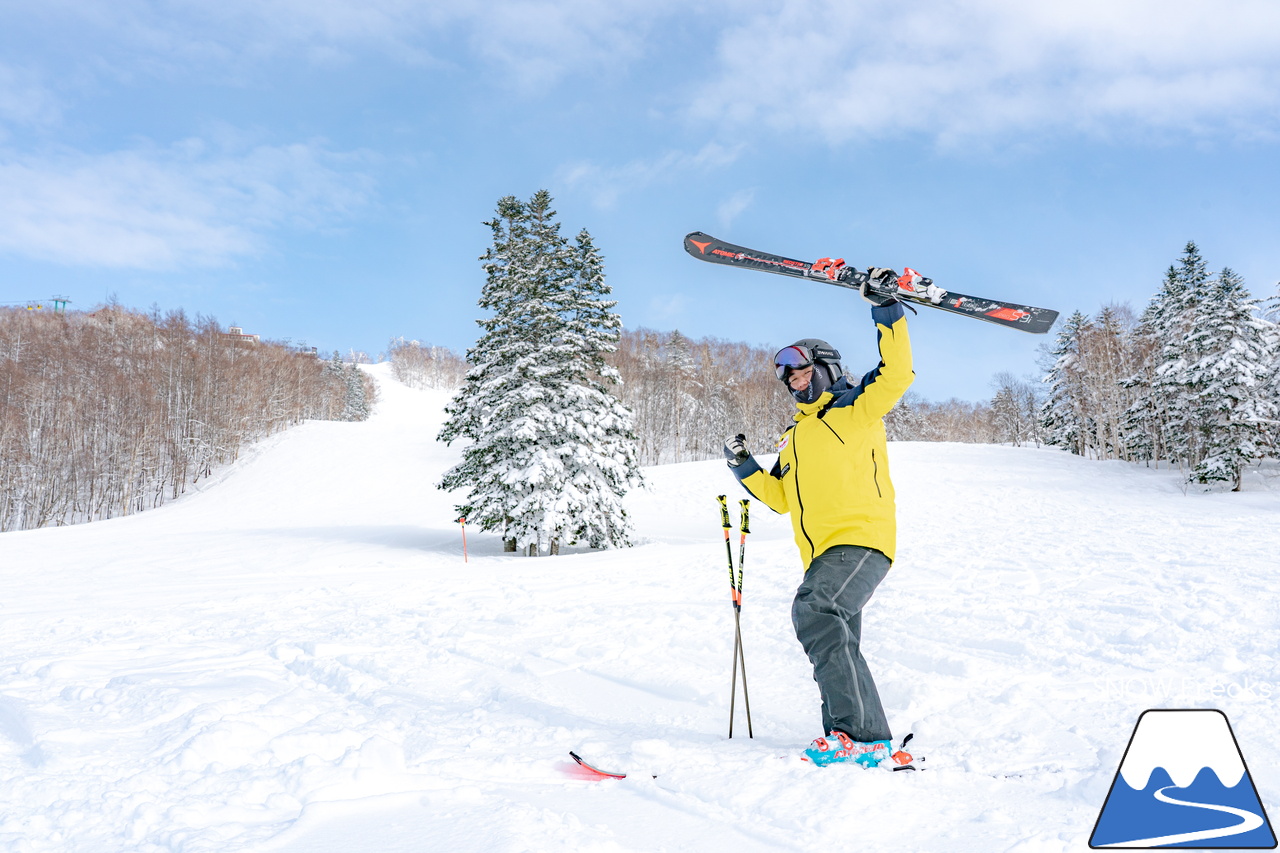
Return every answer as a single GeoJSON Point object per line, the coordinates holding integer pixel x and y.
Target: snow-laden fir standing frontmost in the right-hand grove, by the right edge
{"type": "Point", "coordinates": [1233, 407]}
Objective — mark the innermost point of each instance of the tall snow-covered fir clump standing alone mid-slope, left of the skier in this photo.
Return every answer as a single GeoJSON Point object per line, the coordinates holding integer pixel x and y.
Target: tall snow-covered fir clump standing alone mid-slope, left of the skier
{"type": "Point", "coordinates": [552, 451]}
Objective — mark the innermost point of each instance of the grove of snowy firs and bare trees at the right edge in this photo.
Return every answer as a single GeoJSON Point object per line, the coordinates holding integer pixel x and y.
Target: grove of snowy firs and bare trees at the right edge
{"type": "Point", "coordinates": [1192, 384]}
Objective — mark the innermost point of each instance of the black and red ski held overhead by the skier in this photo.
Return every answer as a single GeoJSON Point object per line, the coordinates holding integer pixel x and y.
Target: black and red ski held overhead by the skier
{"type": "Point", "coordinates": [909, 288]}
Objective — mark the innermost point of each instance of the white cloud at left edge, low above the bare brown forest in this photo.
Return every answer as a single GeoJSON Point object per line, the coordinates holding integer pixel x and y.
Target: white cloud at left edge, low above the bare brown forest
{"type": "Point", "coordinates": [170, 208]}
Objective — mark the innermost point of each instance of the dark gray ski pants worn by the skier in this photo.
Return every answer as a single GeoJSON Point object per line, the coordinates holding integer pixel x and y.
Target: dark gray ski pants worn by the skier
{"type": "Point", "coordinates": [828, 614]}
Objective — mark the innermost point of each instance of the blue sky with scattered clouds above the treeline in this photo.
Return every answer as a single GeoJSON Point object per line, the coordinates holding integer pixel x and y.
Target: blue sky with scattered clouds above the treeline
{"type": "Point", "coordinates": [321, 171]}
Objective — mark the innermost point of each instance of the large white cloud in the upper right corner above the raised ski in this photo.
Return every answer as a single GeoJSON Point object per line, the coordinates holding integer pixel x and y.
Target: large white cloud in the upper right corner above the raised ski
{"type": "Point", "coordinates": [988, 69]}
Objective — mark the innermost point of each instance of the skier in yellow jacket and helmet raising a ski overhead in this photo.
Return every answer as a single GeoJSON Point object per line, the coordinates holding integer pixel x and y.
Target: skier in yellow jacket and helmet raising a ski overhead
{"type": "Point", "coordinates": [833, 477]}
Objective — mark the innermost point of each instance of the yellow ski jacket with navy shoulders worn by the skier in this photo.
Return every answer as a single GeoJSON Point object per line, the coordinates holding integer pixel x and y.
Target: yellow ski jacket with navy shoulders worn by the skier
{"type": "Point", "coordinates": [833, 469]}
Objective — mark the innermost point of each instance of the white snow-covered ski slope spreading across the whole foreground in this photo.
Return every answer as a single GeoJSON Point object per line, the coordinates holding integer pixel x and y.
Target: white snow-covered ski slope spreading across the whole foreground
{"type": "Point", "coordinates": [295, 659]}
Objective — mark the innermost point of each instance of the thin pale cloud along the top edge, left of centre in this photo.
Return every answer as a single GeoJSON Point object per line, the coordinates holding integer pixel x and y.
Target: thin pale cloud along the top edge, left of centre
{"type": "Point", "coordinates": [532, 44]}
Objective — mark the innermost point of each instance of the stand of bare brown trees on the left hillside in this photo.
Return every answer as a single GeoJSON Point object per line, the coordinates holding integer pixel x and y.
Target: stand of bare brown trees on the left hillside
{"type": "Point", "coordinates": [115, 412]}
